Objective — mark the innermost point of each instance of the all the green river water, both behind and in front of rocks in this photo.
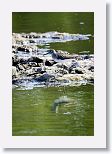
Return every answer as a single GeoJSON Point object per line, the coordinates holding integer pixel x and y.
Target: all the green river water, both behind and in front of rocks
{"type": "Point", "coordinates": [31, 109]}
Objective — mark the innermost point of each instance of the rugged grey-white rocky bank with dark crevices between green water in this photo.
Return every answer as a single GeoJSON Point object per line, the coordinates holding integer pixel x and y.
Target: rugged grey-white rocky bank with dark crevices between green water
{"type": "Point", "coordinates": [33, 66]}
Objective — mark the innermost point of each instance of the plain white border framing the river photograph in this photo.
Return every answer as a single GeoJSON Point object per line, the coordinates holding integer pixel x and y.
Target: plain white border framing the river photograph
{"type": "Point", "coordinates": [99, 138]}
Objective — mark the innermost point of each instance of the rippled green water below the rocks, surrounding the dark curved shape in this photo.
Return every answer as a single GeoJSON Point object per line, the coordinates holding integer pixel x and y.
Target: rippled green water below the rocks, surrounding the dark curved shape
{"type": "Point", "coordinates": [33, 115]}
